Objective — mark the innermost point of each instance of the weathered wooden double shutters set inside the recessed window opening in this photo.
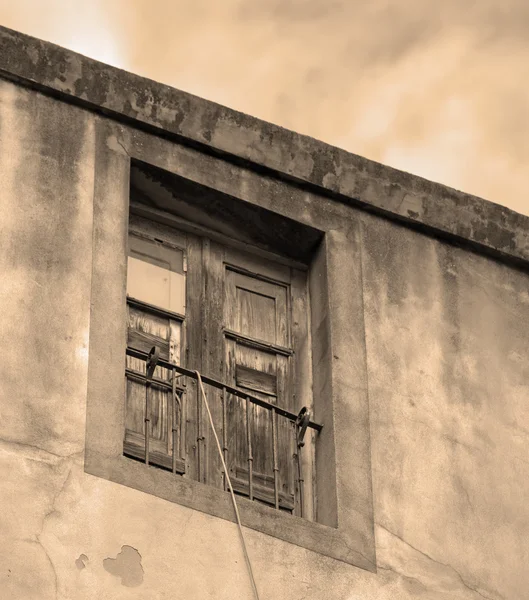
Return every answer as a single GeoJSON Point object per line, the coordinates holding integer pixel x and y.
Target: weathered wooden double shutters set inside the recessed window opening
{"type": "Point", "coordinates": [236, 317]}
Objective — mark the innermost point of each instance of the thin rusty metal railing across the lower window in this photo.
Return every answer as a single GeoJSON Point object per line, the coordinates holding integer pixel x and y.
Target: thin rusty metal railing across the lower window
{"type": "Point", "coordinates": [301, 421]}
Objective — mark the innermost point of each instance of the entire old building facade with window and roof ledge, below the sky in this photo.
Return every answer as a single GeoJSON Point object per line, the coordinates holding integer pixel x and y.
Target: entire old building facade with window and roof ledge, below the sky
{"type": "Point", "coordinates": [360, 336]}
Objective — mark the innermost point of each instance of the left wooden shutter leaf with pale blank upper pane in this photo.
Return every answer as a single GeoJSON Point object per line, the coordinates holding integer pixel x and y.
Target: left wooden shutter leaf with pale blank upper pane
{"type": "Point", "coordinates": [156, 303]}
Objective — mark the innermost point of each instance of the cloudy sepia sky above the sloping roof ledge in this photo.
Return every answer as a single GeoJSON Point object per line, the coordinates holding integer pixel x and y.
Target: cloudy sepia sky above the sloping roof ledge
{"type": "Point", "coordinates": [438, 89]}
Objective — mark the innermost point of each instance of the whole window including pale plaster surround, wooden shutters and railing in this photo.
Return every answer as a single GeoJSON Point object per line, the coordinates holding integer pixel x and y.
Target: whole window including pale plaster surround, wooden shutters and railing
{"type": "Point", "coordinates": [215, 230]}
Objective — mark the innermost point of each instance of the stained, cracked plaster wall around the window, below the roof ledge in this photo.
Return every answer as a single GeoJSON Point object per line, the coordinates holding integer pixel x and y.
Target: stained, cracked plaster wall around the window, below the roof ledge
{"type": "Point", "coordinates": [448, 377]}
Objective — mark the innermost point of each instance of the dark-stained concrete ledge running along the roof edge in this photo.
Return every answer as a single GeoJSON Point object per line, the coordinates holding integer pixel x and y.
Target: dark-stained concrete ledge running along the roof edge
{"type": "Point", "coordinates": [170, 112]}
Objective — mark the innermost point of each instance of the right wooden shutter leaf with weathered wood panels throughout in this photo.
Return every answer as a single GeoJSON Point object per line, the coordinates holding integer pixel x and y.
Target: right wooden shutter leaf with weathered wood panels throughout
{"type": "Point", "coordinates": [256, 314]}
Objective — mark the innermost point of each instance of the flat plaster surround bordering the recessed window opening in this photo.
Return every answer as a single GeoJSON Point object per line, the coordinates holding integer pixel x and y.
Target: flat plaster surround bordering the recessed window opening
{"type": "Point", "coordinates": [345, 530]}
